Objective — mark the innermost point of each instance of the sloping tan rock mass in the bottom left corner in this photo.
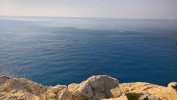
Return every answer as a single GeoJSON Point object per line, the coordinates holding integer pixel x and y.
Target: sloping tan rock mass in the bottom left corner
{"type": "Point", "coordinates": [20, 88]}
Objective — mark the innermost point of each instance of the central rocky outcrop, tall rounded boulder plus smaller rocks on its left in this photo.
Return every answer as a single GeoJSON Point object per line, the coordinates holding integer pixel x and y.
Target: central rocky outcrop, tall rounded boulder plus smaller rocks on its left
{"type": "Point", "coordinates": [94, 88]}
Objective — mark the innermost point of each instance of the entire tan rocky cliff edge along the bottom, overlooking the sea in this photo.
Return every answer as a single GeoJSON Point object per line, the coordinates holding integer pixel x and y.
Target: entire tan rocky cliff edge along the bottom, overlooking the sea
{"type": "Point", "coordinates": [100, 87]}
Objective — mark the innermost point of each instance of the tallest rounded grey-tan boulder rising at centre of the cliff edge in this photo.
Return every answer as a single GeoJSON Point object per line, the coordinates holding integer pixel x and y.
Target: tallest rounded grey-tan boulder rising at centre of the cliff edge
{"type": "Point", "coordinates": [97, 87]}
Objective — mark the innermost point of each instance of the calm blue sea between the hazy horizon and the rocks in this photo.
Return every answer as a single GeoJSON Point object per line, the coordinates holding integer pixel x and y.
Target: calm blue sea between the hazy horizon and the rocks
{"type": "Point", "coordinates": [52, 50]}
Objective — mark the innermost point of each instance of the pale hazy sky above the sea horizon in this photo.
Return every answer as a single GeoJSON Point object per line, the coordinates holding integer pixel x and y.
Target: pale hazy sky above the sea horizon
{"type": "Point", "coordinates": [156, 9]}
